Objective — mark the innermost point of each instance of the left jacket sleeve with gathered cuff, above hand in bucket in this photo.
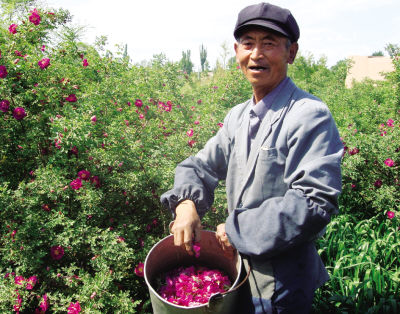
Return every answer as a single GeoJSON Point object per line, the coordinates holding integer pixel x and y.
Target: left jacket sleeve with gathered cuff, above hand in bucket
{"type": "Point", "coordinates": [197, 176]}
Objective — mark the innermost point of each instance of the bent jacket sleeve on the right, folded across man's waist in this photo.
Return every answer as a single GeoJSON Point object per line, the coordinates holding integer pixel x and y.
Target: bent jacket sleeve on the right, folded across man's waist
{"type": "Point", "coordinates": [313, 176]}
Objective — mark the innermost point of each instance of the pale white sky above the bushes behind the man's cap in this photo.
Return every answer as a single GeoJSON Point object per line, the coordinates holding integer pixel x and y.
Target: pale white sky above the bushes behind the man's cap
{"type": "Point", "coordinates": [333, 29]}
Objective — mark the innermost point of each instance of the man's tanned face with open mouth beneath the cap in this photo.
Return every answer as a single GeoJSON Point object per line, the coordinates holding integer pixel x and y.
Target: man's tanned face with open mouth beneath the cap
{"type": "Point", "coordinates": [263, 56]}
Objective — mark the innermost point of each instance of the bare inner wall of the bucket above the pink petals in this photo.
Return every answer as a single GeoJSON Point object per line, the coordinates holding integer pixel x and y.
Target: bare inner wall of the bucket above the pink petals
{"type": "Point", "coordinates": [165, 256]}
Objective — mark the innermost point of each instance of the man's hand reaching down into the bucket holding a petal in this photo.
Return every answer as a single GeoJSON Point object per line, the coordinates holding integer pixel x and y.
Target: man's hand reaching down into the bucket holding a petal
{"type": "Point", "coordinates": [187, 226]}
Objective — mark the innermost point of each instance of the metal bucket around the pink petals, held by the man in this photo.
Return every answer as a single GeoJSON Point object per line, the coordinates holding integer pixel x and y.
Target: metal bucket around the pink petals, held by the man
{"type": "Point", "coordinates": [165, 256]}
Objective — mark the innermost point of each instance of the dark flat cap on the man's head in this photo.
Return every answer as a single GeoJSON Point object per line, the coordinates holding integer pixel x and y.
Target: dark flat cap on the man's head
{"type": "Point", "coordinates": [269, 16]}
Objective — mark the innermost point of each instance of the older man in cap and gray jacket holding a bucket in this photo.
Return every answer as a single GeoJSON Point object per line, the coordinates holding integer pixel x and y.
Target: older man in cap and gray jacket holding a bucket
{"type": "Point", "coordinates": [280, 155]}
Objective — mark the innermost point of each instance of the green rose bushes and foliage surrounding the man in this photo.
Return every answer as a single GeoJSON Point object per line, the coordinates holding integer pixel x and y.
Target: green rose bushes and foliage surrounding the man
{"type": "Point", "coordinates": [81, 173]}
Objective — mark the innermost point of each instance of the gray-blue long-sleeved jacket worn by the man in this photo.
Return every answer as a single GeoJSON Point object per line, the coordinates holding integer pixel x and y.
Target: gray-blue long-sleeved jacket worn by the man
{"type": "Point", "coordinates": [281, 195]}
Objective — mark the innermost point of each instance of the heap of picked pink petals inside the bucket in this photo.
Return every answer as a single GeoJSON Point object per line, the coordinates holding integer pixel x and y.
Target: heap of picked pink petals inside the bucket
{"type": "Point", "coordinates": [193, 286]}
